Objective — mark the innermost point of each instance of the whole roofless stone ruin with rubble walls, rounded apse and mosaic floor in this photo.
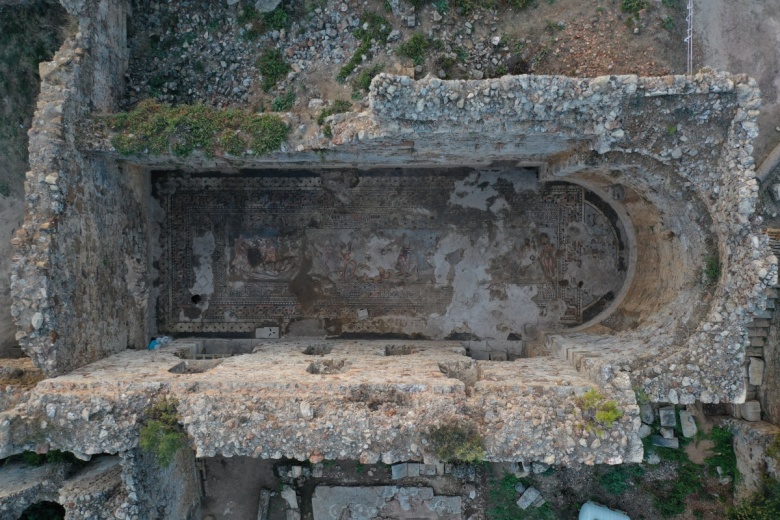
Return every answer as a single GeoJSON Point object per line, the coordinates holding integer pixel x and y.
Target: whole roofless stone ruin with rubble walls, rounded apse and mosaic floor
{"type": "Point", "coordinates": [477, 251]}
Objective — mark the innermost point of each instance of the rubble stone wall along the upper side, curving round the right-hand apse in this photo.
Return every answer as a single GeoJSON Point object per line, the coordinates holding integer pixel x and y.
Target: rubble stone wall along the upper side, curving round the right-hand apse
{"type": "Point", "coordinates": [678, 146]}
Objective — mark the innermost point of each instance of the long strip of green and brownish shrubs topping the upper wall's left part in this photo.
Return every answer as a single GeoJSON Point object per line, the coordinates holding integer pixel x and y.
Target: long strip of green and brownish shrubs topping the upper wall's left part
{"type": "Point", "coordinates": [157, 129]}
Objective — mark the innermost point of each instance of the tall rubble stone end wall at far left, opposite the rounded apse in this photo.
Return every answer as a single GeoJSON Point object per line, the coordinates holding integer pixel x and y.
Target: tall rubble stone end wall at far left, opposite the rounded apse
{"type": "Point", "coordinates": [78, 279]}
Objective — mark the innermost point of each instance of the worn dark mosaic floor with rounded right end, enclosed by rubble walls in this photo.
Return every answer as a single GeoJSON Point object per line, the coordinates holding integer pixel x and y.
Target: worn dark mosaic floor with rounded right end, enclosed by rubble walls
{"type": "Point", "coordinates": [458, 253]}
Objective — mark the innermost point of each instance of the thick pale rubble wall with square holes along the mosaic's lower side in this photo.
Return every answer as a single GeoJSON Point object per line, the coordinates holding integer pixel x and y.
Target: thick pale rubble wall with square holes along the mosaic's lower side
{"type": "Point", "coordinates": [353, 402]}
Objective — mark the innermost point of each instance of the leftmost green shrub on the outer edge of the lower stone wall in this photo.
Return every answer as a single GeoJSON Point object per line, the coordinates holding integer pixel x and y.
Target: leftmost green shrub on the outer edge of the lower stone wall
{"type": "Point", "coordinates": [161, 434]}
